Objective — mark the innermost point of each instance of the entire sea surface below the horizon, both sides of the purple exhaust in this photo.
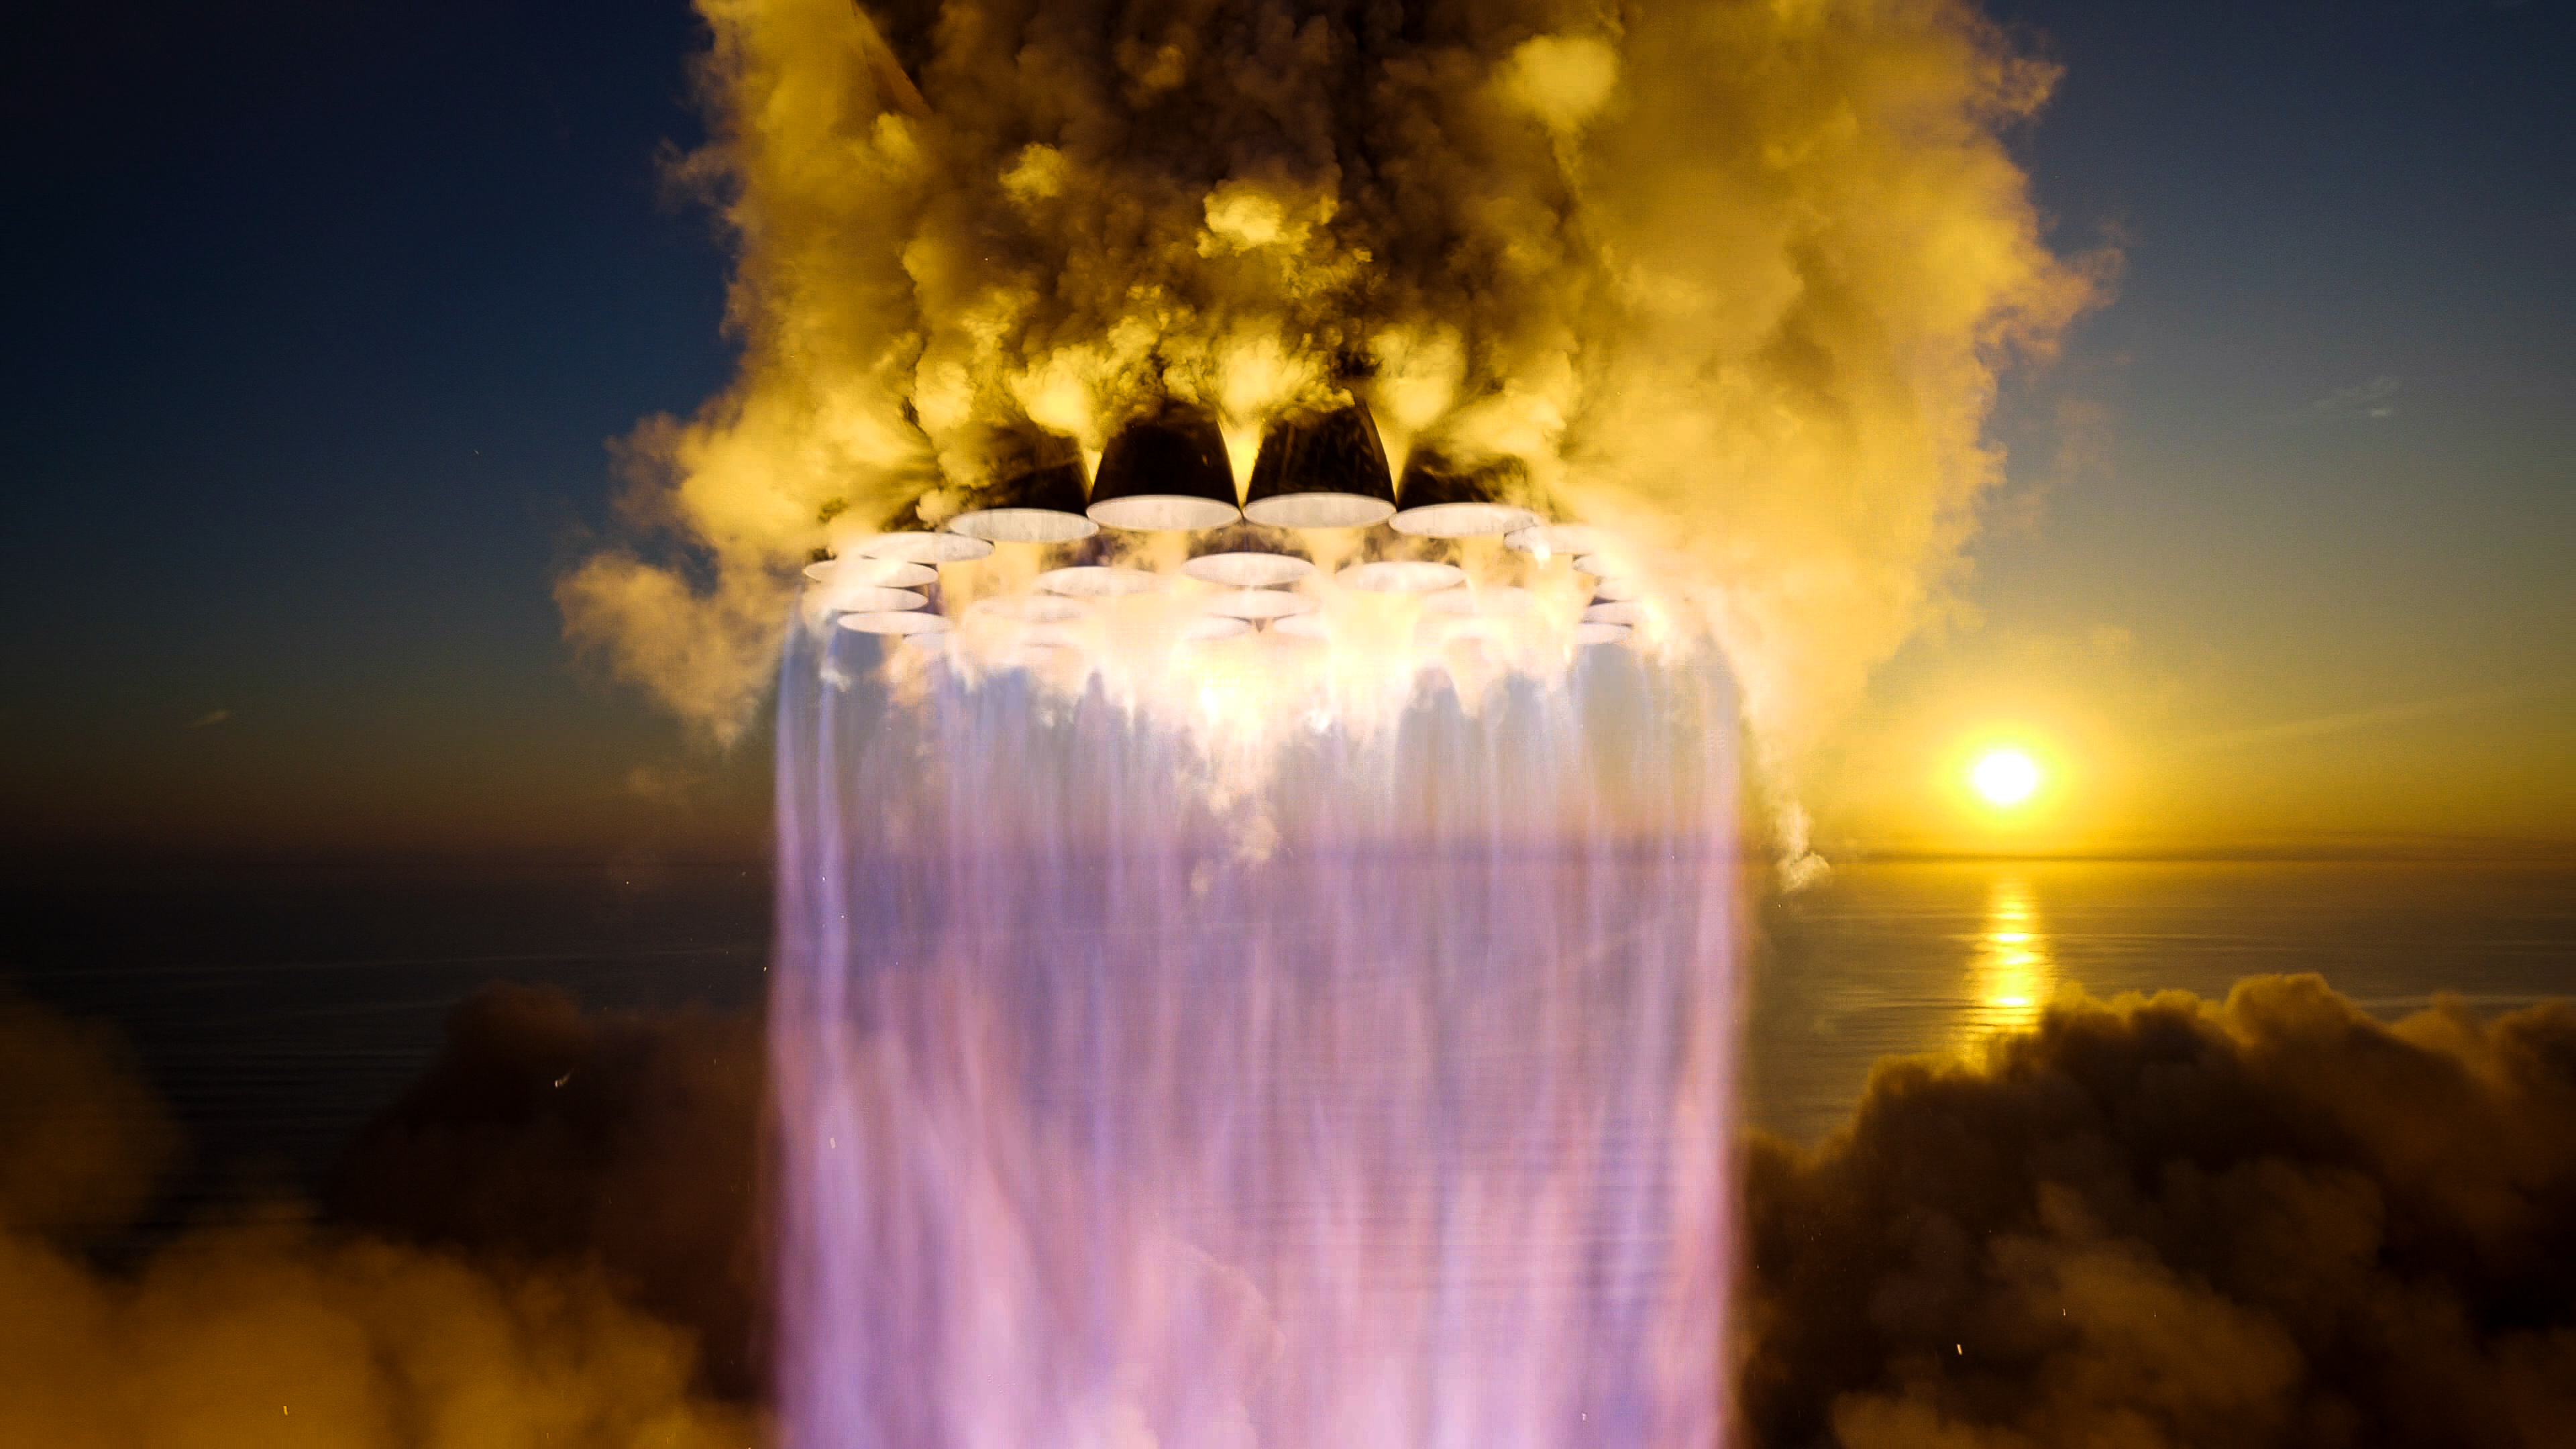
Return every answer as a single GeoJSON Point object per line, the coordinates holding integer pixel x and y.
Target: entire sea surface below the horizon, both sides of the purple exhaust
{"type": "Point", "coordinates": [277, 1009]}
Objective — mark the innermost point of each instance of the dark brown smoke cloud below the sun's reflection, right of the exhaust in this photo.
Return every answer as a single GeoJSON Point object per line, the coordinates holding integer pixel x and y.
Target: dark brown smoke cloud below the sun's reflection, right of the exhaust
{"type": "Point", "coordinates": [2173, 1223]}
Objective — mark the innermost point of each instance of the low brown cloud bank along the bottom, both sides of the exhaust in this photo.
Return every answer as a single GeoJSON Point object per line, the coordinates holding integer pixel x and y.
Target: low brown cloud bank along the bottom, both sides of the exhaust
{"type": "Point", "coordinates": [2150, 1223]}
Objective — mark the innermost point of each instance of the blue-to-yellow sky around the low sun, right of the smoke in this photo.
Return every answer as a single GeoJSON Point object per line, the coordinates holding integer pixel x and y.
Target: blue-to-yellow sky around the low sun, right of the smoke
{"type": "Point", "coordinates": [2291, 538]}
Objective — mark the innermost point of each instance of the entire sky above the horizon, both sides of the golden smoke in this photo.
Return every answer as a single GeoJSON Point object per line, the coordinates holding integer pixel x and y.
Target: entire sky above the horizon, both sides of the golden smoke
{"type": "Point", "coordinates": [323, 326]}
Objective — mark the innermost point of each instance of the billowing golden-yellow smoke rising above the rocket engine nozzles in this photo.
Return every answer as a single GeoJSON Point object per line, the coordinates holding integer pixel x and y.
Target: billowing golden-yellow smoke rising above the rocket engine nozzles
{"type": "Point", "coordinates": [1732, 277]}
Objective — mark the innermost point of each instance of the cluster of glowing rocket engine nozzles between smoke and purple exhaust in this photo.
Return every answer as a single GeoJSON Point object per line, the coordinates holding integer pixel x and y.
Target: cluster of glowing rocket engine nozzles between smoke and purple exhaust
{"type": "Point", "coordinates": [1323, 520]}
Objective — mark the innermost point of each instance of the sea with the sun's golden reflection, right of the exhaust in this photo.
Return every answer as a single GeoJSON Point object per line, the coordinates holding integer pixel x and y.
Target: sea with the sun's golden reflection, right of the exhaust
{"type": "Point", "coordinates": [1933, 958]}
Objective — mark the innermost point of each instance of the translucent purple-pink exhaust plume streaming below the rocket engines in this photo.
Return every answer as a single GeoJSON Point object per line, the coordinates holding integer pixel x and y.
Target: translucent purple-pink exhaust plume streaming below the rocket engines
{"type": "Point", "coordinates": [1382, 1110]}
